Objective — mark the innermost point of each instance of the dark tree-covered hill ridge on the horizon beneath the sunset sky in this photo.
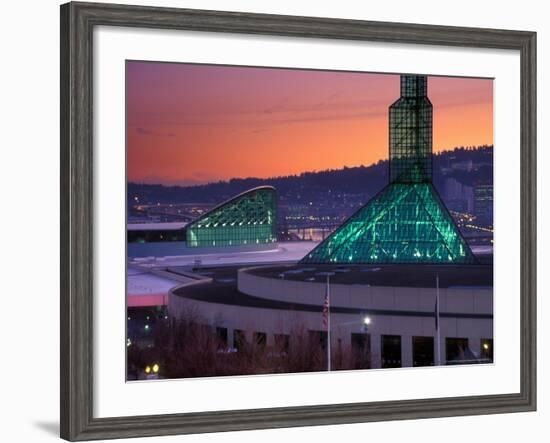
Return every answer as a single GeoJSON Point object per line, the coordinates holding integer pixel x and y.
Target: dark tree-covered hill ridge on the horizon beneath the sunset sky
{"type": "Point", "coordinates": [362, 181]}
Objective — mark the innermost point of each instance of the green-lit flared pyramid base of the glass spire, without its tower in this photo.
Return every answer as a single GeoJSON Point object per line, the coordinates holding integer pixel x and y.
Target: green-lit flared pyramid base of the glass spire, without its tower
{"type": "Point", "coordinates": [404, 223]}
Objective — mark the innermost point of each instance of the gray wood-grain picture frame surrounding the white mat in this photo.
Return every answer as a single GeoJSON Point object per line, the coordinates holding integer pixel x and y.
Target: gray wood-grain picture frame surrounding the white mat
{"type": "Point", "coordinates": [77, 24]}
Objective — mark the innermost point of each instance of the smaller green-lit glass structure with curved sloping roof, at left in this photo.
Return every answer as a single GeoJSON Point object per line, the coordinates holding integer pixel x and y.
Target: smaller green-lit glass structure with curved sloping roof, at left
{"type": "Point", "coordinates": [247, 219]}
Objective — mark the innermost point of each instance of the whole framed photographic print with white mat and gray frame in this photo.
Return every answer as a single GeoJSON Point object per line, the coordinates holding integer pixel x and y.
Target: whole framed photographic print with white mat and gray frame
{"type": "Point", "coordinates": [272, 221]}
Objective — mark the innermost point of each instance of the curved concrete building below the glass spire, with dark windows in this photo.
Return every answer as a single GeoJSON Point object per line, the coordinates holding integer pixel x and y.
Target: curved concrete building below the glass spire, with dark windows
{"type": "Point", "coordinates": [269, 302]}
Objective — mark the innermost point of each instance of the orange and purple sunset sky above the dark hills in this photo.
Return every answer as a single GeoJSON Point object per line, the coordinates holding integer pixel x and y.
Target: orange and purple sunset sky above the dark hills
{"type": "Point", "coordinates": [193, 124]}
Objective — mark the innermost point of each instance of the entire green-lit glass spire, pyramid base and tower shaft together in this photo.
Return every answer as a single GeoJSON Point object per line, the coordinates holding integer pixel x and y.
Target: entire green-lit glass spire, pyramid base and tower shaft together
{"type": "Point", "coordinates": [407, 221]}
